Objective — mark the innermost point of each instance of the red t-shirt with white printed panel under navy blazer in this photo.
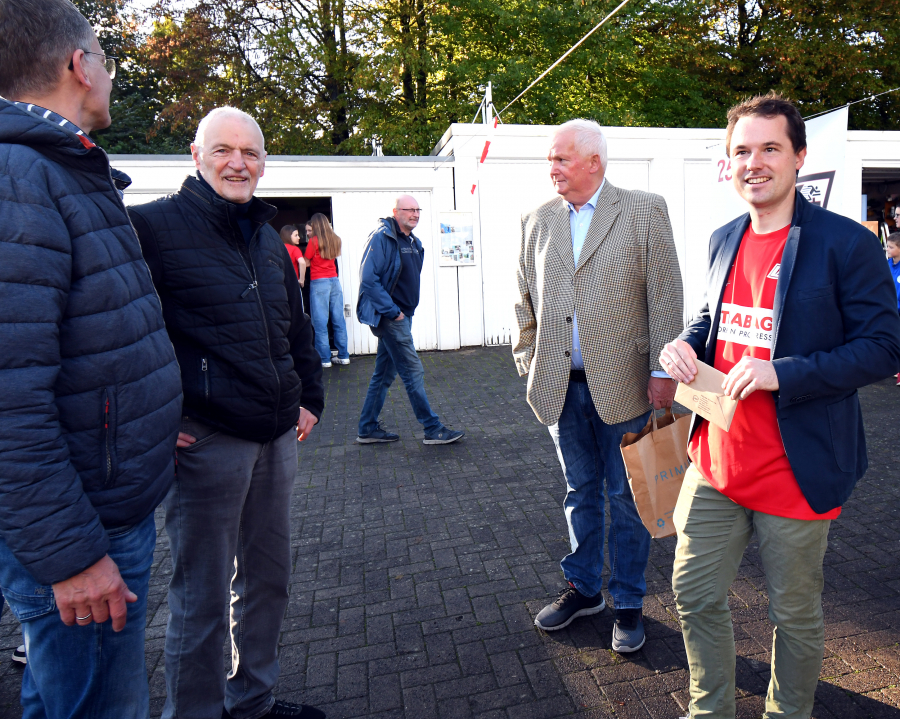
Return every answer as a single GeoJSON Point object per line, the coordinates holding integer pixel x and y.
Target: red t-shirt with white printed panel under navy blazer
{"type": "Point", "coordinates": [748, 464]}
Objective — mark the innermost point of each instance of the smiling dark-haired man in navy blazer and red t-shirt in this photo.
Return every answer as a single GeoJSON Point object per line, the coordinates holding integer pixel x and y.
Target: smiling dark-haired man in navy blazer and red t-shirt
{"type": "Point", "coordinates": [799, 313]}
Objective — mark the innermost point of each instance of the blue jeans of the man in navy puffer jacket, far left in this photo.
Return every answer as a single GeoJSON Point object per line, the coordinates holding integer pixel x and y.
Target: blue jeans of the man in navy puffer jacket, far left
{"type": "Point", "coordinates": [88, 672]}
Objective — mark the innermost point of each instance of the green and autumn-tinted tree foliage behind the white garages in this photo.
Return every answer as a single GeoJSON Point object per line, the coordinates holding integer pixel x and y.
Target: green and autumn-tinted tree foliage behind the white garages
{"type": "Point", "coordinates": [327, 76]}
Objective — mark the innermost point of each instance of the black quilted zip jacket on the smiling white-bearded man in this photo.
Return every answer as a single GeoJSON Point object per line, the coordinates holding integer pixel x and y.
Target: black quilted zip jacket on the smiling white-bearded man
{"type": "Point", "coordinates": [233, 311]}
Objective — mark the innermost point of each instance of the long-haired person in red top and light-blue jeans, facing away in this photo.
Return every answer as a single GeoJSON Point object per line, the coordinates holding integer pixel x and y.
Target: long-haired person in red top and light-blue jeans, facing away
{"type": "Point", "coordinates": [326, 298]}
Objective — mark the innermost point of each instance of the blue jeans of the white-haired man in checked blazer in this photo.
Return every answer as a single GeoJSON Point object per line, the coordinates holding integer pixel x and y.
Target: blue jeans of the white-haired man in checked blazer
{"type": "Point", "coordinates": [588, 451]}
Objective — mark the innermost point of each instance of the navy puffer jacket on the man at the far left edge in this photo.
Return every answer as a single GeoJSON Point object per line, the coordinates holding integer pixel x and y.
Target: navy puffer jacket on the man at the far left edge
{"type": "Point", "coordinates": [91, 397]}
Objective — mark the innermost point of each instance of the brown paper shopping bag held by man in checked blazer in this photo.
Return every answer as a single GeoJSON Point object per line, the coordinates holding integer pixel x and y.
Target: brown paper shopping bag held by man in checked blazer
{"type": "Point", "coordinates": [656, 460]}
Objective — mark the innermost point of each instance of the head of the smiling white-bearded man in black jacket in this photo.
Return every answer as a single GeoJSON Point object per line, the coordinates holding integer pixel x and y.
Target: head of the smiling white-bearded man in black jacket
{"type": "Point", "coordinates": [229, 153]}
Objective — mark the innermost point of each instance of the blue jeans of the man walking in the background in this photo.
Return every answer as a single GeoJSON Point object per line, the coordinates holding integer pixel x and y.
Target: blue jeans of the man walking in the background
{"type": "Point", "coordinates": [396, 355]}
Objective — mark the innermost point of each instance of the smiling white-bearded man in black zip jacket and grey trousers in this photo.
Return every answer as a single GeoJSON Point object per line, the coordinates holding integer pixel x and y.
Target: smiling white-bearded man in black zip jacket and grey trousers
{"type": "Point", "coordinates": [250, 375]}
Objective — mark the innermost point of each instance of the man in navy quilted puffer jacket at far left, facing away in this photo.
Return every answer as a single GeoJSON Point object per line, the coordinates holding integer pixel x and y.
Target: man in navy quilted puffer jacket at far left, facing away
{"type": "Point", "coordinates": [91, 394]}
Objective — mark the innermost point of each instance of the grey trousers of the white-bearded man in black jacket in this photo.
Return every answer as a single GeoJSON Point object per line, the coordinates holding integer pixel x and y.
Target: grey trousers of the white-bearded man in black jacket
{"type": "Point", "coordinates": [228, 521]}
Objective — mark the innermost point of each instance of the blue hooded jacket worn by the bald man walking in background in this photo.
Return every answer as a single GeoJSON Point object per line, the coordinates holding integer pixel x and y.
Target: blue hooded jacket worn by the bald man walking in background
{"type": "Point", "coordinates": [379, 273]}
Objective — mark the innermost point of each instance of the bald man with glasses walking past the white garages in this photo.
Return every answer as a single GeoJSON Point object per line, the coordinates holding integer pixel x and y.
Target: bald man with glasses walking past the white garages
{"type": "Point", "coordinates": [388, 297]}
